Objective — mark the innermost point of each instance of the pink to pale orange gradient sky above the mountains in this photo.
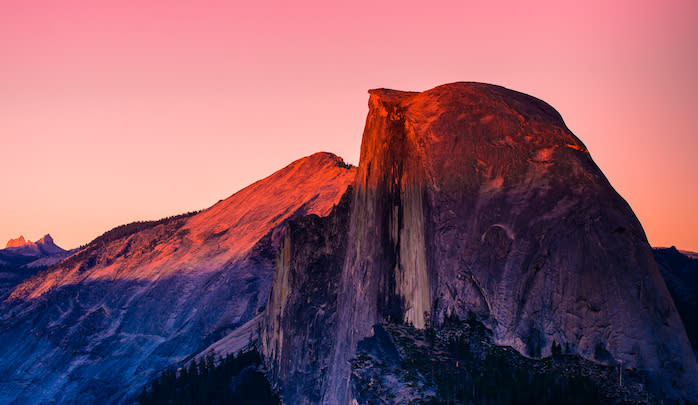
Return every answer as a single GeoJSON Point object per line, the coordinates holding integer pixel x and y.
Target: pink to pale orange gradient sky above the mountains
{"type": "Point", "coordinates": [115, 111]}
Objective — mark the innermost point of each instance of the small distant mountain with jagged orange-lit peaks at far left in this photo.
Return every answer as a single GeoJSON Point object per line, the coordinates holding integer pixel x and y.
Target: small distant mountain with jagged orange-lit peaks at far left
{"type": "Point", "coordinates": [22, 258]}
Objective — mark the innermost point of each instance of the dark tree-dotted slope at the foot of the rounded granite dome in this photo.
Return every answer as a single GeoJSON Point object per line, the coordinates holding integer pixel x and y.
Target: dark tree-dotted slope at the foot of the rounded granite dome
{"type": "Point", "coordinates": [459, 364]}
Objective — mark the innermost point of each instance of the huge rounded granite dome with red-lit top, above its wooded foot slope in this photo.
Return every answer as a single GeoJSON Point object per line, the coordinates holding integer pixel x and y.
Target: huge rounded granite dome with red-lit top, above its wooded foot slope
{"type": "Point", "coordinates": [472, 198]}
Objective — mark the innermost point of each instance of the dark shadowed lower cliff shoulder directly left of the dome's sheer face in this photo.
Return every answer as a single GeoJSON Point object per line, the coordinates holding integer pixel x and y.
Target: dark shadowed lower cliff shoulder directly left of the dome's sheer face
{"type": "Point", "coordinates": [301, 316]}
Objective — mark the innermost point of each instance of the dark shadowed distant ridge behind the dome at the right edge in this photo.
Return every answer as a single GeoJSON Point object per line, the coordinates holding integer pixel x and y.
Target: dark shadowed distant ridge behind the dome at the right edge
{"type": "Point", "coordinates": [680, 271]}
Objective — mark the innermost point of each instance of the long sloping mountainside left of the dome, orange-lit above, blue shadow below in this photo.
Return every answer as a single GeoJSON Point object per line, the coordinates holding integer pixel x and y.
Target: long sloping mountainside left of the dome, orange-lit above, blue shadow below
{"type": "Point", "coordinates": [98, 326]}
